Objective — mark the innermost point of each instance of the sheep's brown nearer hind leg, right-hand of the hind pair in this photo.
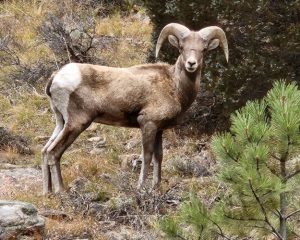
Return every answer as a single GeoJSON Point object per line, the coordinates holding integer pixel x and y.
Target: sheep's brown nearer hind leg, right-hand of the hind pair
{"type": "Point", "coordinates": [54, 152]}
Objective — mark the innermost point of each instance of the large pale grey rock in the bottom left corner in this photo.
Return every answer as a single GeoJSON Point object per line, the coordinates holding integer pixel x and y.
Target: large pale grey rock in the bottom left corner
{"type": "Point", "coordinates": [19, 219]}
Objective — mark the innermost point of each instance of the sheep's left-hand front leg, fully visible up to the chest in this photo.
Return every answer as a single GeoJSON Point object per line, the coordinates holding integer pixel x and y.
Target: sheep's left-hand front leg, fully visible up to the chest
{"type": "Point", "coordinates": [149, 131]}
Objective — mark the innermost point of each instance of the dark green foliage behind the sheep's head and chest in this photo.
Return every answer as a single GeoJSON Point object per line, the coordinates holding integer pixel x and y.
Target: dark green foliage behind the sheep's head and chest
{"type": "Point", "coordinates": [263, 46]}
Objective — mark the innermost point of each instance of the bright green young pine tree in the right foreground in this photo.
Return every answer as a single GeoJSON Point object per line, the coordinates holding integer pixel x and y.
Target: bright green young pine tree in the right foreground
{"type": "Point", "coordinates": [259, 167]}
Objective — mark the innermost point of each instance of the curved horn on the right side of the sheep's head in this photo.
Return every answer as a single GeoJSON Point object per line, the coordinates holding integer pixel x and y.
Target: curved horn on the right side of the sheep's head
{"type": "Point", "coordinates": [209, 33]}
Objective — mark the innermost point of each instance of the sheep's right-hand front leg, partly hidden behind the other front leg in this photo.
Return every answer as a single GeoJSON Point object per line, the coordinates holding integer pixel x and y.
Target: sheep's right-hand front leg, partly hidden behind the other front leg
{"type": "Point", "coordinates": [157, 160]}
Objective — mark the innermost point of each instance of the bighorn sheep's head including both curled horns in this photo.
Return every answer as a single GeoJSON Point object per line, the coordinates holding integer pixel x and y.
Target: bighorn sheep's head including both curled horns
{"type": "Point", "coordinates": [192, 45]}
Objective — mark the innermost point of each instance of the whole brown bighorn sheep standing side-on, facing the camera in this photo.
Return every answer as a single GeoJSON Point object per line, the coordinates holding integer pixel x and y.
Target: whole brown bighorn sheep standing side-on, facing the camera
{"type": "Point", "coordinates": [150, 97]}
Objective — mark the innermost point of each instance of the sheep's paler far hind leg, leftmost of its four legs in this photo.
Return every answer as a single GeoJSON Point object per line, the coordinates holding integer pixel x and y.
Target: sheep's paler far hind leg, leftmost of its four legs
{"type": "Point", "coordinates": [47, 185]}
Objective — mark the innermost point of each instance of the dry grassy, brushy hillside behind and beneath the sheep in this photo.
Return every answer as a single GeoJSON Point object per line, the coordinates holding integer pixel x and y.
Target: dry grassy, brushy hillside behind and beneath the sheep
{"type": "Point", "coordinates": [101, 168]}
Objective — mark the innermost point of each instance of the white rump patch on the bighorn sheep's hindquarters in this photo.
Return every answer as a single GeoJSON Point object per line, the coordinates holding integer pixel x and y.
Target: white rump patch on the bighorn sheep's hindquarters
{"type": "Point", "coordinates": [68, 78]}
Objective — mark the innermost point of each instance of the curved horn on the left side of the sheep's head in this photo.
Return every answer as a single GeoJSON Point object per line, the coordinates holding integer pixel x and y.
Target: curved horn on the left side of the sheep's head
{"type": "Point", "coordinates": [176, 29]}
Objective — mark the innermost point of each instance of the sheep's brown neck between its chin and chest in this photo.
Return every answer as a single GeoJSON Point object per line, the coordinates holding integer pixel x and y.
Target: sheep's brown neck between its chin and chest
{"type": "Point", "coordinates": [187, 84]}
